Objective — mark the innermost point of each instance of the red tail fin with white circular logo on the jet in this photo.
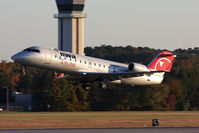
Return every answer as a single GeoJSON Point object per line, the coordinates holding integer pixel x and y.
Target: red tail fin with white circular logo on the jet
{"type": "Point", "coordinates": [163, 62]}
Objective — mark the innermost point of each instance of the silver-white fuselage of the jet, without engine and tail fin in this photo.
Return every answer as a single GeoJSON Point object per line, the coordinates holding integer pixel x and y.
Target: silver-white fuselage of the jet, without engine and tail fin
{"type": "Point", "coordinates": [74, 64]}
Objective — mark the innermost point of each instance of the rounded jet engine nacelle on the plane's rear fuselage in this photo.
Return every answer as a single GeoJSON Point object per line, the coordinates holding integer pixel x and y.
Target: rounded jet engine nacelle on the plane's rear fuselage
{"type": "Point", "coordinates": [137, 67]}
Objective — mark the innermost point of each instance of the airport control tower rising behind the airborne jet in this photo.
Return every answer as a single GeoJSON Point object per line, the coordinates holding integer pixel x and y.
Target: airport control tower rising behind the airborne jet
{"type": "Point", "coordinates": [71, 25]}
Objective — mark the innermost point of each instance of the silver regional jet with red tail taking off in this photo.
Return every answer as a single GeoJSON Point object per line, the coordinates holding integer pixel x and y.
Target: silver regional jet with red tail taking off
{"type": "Point", "coordinates": [88, 69]}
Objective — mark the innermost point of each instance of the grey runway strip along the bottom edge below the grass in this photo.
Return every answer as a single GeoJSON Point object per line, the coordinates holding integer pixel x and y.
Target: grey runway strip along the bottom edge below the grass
{"type": "Point", "coordinates": [129, 130]}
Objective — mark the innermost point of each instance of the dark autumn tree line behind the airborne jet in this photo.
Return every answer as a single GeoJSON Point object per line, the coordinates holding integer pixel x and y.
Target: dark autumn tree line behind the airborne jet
{"type": "Point", "coordinates": [179, 90]}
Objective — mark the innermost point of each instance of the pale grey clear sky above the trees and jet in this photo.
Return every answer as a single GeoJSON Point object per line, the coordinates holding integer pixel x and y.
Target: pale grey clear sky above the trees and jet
{"type": "Point", "coordinates": [159, 24]}
